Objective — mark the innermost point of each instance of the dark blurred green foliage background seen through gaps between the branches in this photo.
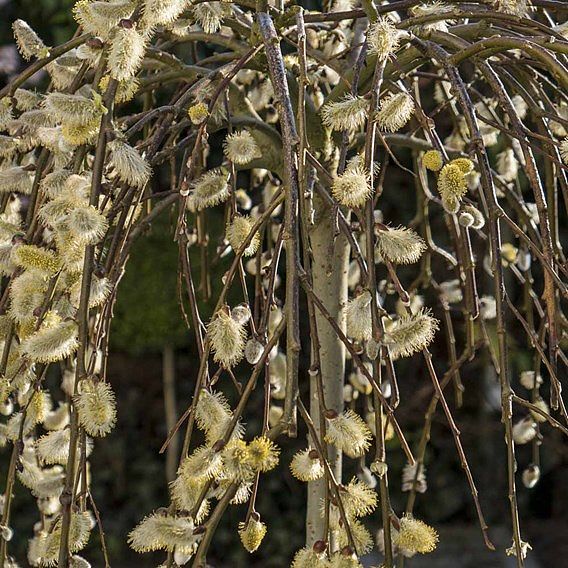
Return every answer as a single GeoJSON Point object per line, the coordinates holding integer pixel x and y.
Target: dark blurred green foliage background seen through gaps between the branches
{"type": "Point", "coordinates": [129, 472]}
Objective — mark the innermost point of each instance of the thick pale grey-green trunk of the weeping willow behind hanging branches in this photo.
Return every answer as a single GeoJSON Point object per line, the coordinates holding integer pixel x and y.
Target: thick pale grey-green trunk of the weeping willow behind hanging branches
{"type": "Point", "coordinates": [329, 269]}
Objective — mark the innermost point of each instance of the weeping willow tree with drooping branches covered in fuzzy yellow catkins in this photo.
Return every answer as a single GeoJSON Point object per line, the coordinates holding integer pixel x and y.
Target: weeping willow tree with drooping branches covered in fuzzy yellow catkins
{"type": "Point", "coordinates": [463, 104]}
